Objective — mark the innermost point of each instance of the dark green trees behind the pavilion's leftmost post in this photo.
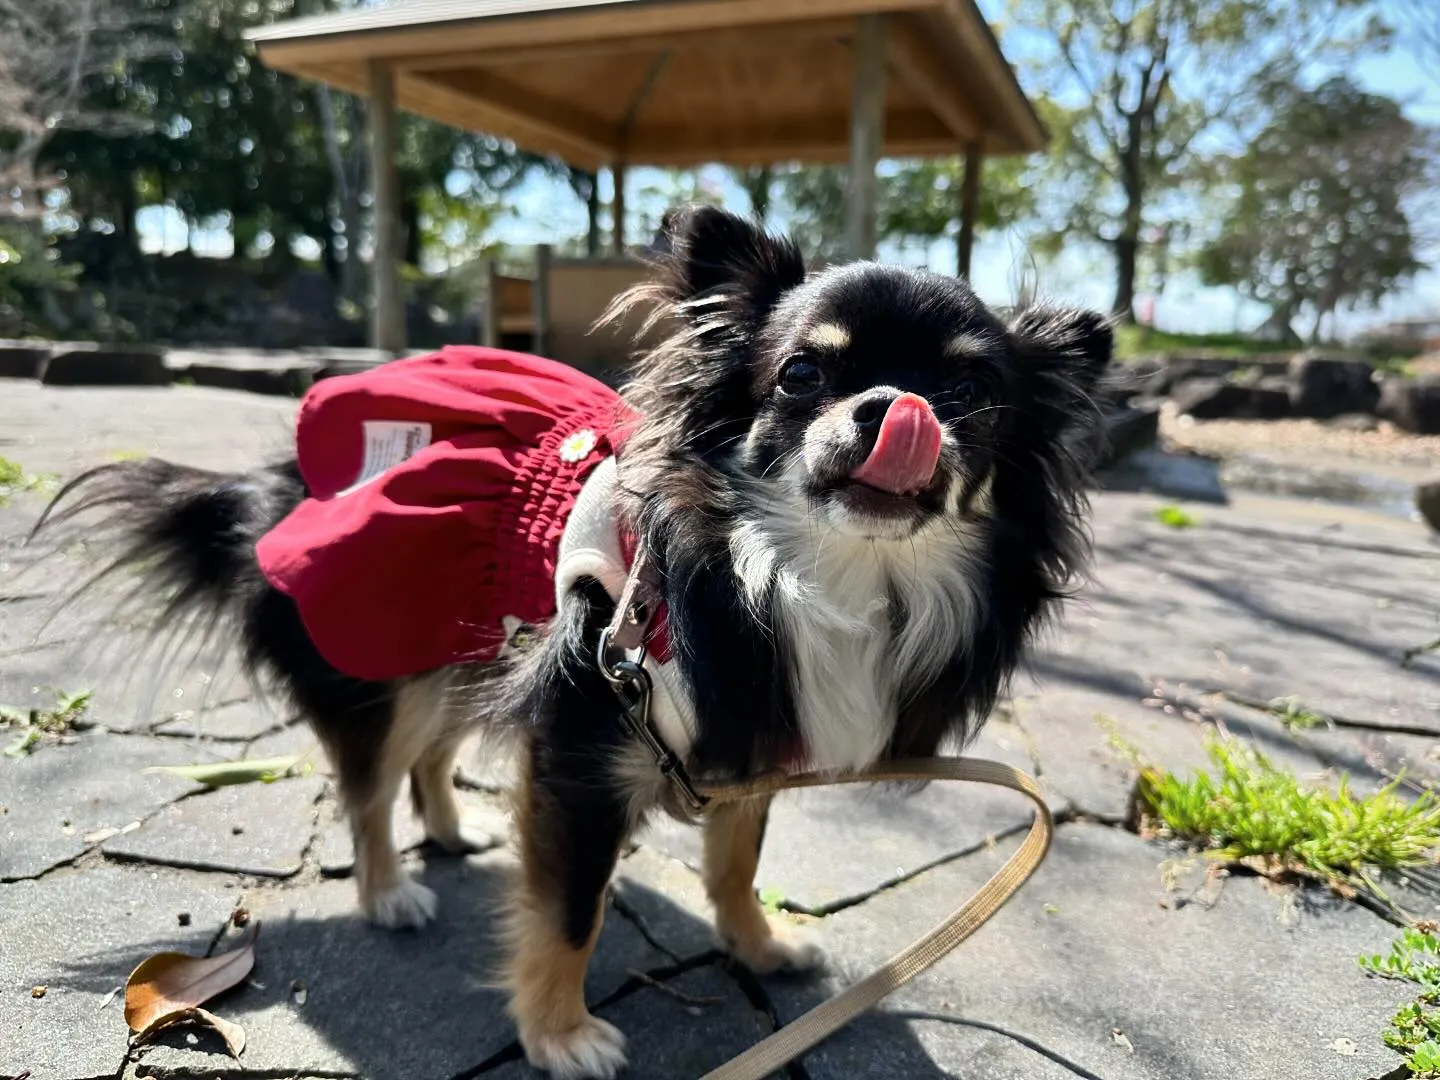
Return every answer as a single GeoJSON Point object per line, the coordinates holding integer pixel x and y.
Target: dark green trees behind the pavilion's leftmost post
{"type": "Point", "coordinates": [271, 158]}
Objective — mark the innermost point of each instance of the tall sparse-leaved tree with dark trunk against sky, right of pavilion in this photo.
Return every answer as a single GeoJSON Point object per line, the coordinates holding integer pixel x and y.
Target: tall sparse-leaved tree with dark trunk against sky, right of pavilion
{"type": "Point", "coordinates": [1138, 87]}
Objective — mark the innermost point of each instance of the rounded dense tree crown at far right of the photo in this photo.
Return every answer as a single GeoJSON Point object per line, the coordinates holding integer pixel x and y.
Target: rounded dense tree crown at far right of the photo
{"type": "Point", "coordinates": [1320, 217]}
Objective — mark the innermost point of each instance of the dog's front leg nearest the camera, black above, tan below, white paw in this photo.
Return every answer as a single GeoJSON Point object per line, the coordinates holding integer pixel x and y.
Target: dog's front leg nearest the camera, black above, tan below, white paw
{"type": "Point", "coordinates": [571, 827]}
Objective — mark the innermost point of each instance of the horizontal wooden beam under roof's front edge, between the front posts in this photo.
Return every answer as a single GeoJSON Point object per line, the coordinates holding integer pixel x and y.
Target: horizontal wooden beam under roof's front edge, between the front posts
{"type": "Point", "coordinates": [637, 45]}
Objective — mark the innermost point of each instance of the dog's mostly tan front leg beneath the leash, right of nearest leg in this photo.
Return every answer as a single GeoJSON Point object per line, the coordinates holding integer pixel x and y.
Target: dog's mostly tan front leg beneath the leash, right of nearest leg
{"type": "Point", "coordinates": [734, 834]}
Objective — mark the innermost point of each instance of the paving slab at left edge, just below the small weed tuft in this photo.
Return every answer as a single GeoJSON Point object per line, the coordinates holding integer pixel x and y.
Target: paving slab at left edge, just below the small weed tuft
{"type": "Point", "coordinates": [60, 796]}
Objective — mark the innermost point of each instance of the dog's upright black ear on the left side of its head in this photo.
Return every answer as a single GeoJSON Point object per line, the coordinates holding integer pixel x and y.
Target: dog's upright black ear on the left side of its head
{"type": "Point", "coordinates": [719, 254]}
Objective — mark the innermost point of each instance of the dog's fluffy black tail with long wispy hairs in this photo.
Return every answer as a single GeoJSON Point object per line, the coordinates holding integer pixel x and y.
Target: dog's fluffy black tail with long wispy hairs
{"type": "Point", "coordinates": [184, 541]}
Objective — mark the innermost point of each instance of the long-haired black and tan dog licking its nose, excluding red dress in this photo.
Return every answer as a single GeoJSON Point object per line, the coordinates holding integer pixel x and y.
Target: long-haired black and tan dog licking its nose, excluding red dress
{"type": "Point", "coordinates": [860, 492]}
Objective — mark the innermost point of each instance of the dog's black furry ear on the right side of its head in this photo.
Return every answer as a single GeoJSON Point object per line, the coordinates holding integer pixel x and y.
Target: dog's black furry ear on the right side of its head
{"type": "Point", "coordinates": [1063, 355]}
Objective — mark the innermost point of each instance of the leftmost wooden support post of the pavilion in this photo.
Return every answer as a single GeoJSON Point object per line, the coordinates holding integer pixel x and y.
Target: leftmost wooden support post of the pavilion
{"type": "Point", "coordinates": [388, 315]}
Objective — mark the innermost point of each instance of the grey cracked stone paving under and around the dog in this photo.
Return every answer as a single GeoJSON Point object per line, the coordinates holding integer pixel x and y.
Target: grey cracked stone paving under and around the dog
{"type": "Point", "coordinates": [1101, 968]}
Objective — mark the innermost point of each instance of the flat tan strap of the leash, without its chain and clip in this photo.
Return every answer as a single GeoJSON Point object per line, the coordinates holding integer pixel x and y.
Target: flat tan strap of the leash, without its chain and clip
{"type": "Point", "coordinates": [824, 1020]}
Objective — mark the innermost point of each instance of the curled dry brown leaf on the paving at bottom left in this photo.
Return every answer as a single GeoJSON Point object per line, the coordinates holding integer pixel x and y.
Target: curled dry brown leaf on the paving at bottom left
{"type": "Point", "coordinates": [171, 987]}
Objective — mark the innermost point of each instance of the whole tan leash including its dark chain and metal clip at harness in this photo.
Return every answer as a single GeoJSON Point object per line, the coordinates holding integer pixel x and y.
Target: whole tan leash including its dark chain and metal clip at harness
{"type": "Point", "coordinates": [626, 636]}
